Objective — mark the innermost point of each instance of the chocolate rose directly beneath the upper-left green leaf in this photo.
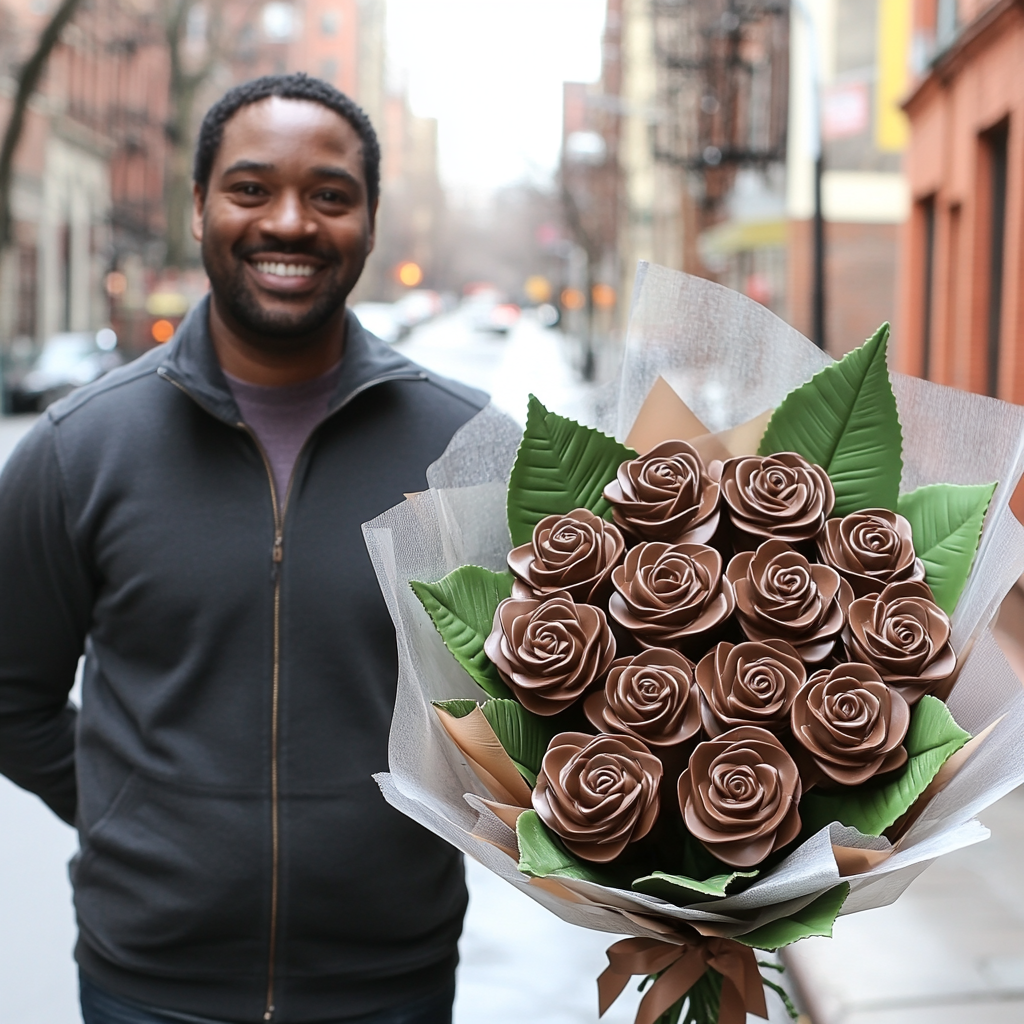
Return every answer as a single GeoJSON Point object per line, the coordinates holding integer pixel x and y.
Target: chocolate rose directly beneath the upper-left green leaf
{"type": "Point", "coordinates": [575, 553]}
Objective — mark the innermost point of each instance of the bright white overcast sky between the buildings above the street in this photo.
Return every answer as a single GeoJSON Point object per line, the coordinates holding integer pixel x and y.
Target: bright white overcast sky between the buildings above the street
{"type": "Point", "coordinates": [492, 73]}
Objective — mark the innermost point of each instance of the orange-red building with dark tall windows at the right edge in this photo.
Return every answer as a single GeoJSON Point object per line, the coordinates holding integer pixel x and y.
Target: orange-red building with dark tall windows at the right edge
{"type": "Point", "coordinates": [961, 289]}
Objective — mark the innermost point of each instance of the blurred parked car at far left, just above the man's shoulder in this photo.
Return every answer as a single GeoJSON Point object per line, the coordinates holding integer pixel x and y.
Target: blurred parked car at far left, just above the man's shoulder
{"type": "Point", "coordinates": [68, 361]}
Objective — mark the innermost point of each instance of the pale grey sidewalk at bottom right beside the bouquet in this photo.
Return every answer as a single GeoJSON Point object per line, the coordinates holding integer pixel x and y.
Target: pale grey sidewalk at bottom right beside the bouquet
{"type": "Point", "coordinates": [952, 949]}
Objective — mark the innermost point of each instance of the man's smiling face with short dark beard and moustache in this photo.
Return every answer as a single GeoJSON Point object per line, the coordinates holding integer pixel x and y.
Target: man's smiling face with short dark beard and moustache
{"type": "Point", "coordinates": [284, 225]}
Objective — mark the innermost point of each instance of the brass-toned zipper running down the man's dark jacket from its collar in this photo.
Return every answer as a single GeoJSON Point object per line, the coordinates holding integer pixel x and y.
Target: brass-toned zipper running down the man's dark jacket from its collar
{"type": "Point", "coordinates": [277, 558]}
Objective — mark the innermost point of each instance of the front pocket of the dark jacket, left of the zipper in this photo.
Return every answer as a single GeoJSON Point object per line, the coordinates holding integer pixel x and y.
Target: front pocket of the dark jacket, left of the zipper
{"type": "Point", "coordinates": [173, 881]}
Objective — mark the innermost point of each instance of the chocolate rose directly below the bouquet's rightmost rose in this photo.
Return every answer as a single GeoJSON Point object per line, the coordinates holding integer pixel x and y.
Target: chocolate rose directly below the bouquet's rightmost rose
{"type": "Point", "coordinates": [850, 723]}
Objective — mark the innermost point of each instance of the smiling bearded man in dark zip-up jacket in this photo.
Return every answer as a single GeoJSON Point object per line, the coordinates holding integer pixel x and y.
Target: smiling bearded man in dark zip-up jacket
{"type": "Point", "coordinates": [192, 524]}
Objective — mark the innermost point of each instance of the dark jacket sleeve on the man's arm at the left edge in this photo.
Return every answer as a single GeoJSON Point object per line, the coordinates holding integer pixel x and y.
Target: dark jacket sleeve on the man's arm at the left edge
{"type": "Point", "coordinates": [46, 609]}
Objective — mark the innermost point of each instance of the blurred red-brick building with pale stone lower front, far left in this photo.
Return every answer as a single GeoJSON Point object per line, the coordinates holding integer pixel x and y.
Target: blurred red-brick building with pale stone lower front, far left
{"type": "Point", "coordinates": [89, 174]}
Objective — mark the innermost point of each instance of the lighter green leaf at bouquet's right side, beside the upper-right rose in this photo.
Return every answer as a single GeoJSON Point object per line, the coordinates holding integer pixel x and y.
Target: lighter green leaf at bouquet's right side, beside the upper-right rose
{"type": "Point", "coordinates": [947, 521]}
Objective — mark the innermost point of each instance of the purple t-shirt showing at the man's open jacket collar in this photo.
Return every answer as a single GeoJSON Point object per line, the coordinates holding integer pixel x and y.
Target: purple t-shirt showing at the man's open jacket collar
{"type": "Point", "coordinates": [284, 417]}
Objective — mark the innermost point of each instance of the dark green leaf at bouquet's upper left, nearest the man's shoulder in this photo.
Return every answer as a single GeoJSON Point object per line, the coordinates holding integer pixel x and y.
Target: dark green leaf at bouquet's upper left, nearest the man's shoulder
{"type": "Point", "coordinates": [562, 465]}
